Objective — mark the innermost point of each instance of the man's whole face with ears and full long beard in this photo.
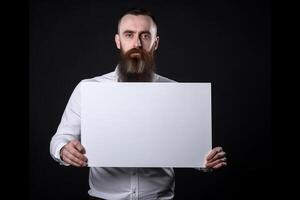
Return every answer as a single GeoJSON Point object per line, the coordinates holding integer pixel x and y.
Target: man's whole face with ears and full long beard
{"type": "Point", "coordinates": [137, 41]}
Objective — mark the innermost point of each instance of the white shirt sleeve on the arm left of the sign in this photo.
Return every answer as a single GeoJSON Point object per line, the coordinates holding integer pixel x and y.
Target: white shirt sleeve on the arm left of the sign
{"type": "Point", "coordinates": [69, 127]}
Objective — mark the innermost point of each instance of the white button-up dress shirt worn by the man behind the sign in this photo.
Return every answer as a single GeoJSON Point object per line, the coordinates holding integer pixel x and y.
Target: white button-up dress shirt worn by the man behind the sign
{"type": "Point", "coordinates": [113, 183]}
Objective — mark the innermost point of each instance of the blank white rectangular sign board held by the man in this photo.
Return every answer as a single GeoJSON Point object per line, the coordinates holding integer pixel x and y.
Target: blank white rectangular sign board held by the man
{"type": "Point", "coordinates": [146, 124]}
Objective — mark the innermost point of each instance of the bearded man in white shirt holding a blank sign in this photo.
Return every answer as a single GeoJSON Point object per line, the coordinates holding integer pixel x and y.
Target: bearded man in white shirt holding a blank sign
{"type": "Point", "coordinates": [137, 40]}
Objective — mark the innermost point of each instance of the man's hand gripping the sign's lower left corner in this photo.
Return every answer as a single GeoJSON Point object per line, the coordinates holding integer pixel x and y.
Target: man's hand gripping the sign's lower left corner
{"type": "Point", "coordinates": [72, 153]}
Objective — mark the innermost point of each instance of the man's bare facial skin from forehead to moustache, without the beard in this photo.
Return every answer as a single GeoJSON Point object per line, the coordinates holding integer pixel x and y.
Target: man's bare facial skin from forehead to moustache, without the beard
{"type": "Point", "coordinates": [136, 32]}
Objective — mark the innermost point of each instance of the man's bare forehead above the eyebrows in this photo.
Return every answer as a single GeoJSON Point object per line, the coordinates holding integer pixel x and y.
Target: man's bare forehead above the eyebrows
{"type": "Point", "coordinates": [137, 23]}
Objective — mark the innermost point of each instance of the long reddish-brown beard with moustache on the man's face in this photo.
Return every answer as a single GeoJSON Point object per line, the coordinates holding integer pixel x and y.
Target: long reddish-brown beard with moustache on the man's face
{"type": "Point", "coordinates": [136, 65]}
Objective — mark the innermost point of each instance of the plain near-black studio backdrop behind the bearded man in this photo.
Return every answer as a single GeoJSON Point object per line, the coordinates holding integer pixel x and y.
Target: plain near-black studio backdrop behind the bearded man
{"type": "Point", "coordinates": [227, 43]}
